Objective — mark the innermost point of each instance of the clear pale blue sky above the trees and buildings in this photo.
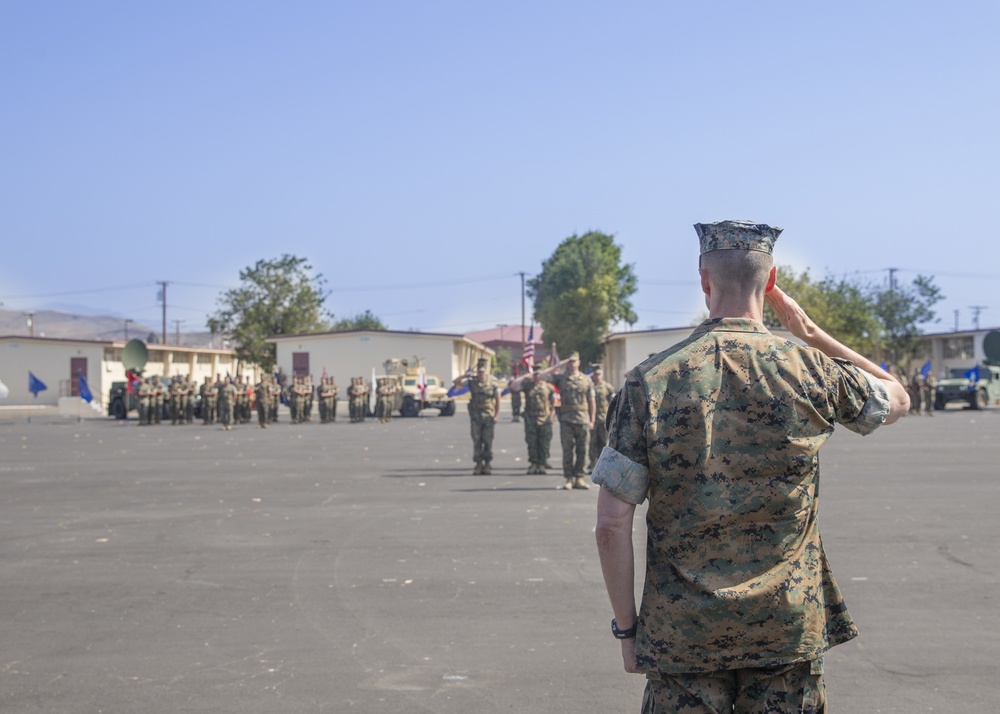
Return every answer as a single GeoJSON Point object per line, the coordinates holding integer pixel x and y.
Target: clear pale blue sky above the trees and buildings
{"type": "Point", "coordinates": [421, 155]}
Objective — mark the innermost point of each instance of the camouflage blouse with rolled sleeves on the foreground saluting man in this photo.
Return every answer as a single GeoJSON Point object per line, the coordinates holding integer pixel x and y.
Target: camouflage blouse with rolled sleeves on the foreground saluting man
{"type": "Point", "coordinates": [722, 433]}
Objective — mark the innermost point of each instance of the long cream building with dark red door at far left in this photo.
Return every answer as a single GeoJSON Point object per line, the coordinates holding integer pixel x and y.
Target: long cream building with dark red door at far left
{"type": "Point", "coordinates": [58, 362]}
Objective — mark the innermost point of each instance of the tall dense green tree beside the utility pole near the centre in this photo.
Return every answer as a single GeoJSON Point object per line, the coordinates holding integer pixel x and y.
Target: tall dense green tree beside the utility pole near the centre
{"type": "Point", "coordinates": [583, 288]}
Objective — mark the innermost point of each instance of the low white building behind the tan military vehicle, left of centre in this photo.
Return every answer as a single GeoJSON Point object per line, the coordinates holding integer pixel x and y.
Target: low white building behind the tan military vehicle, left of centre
{"type": "Point", "coordinates": [357, 352]}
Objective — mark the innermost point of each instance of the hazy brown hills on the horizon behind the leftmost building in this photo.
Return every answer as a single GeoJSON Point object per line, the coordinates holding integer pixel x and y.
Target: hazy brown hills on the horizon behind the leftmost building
{"type": "Point", "coordinates": [67, 325]}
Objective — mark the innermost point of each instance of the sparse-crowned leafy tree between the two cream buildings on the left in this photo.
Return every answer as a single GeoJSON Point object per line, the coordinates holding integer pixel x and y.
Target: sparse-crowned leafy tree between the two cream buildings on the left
{"type": "Point", "coordinates": [275, 297]}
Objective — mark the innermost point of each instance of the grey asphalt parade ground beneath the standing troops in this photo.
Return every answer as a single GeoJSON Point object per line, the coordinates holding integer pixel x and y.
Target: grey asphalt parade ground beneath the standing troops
{"type": "Point", "coordinates": [363, 568]}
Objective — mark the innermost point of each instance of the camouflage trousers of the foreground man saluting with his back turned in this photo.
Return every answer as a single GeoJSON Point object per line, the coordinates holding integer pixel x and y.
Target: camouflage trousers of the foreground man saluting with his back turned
{"type": "Point", "coordinates": [786, 689]}
